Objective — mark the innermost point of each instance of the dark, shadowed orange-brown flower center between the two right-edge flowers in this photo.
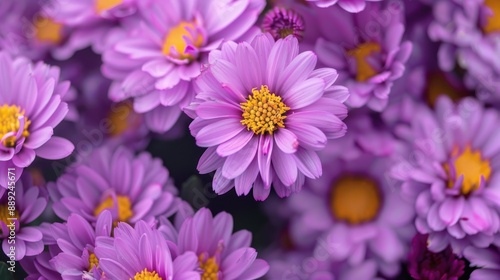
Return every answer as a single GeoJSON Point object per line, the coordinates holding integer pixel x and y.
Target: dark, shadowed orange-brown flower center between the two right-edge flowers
{"type": "Point", "coordinates": [438, 85]}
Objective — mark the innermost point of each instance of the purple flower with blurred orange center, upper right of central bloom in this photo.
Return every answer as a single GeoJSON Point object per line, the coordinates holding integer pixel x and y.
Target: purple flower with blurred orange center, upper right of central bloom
{"type": "Point", "coordinates": [369, 55]}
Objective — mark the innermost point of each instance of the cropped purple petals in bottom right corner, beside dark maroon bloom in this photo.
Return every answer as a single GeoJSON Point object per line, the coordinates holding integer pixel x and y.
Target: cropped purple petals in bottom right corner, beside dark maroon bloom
{"type": "Point", "coordinates": [486, 261]}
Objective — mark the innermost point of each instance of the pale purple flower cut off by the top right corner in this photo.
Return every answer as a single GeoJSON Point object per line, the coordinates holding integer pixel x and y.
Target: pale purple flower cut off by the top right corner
{"type": "Point", "coordinates": [469, 33]}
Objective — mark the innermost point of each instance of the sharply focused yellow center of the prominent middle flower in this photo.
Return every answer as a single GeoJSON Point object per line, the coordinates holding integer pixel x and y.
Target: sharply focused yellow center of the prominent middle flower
{"type": "Point", "coordinates": [263, 111]}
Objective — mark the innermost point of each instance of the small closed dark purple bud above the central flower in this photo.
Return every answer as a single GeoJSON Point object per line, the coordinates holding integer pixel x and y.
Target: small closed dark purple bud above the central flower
{"type": "Point", "coordinates": [281, 22]}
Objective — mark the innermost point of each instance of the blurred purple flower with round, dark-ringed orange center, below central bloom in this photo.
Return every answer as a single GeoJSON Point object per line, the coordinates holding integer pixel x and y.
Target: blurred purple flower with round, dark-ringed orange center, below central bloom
{"type": "Point", "coordinates": [354, 211]}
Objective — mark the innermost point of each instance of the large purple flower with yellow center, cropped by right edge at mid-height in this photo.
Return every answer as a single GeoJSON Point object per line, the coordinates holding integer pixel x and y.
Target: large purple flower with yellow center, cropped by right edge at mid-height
{"type": "Point", "coordinates": [452, 174]}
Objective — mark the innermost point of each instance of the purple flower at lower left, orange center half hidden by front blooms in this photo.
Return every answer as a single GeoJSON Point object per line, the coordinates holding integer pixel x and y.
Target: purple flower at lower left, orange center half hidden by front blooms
{"type": "Point", "coordinates": [132, 187]}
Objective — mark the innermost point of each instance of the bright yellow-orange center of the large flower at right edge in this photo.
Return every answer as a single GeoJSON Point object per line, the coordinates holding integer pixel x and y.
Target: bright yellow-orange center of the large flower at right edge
{"type": "Point", "coordinates": [471, 165]}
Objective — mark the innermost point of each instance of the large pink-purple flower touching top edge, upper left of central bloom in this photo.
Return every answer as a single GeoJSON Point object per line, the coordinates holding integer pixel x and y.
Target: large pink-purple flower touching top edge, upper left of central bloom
{"type": "Point", "coordinates": [155, 62]}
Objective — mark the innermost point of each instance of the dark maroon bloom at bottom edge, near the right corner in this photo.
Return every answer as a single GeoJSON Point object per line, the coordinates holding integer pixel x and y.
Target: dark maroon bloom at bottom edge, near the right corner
{"type": "Point", "coordinates": [426, 265]}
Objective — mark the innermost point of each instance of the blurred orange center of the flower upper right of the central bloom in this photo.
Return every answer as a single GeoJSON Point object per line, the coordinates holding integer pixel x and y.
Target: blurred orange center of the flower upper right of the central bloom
{"type": "Point", "coordinates": [360, 54]}
